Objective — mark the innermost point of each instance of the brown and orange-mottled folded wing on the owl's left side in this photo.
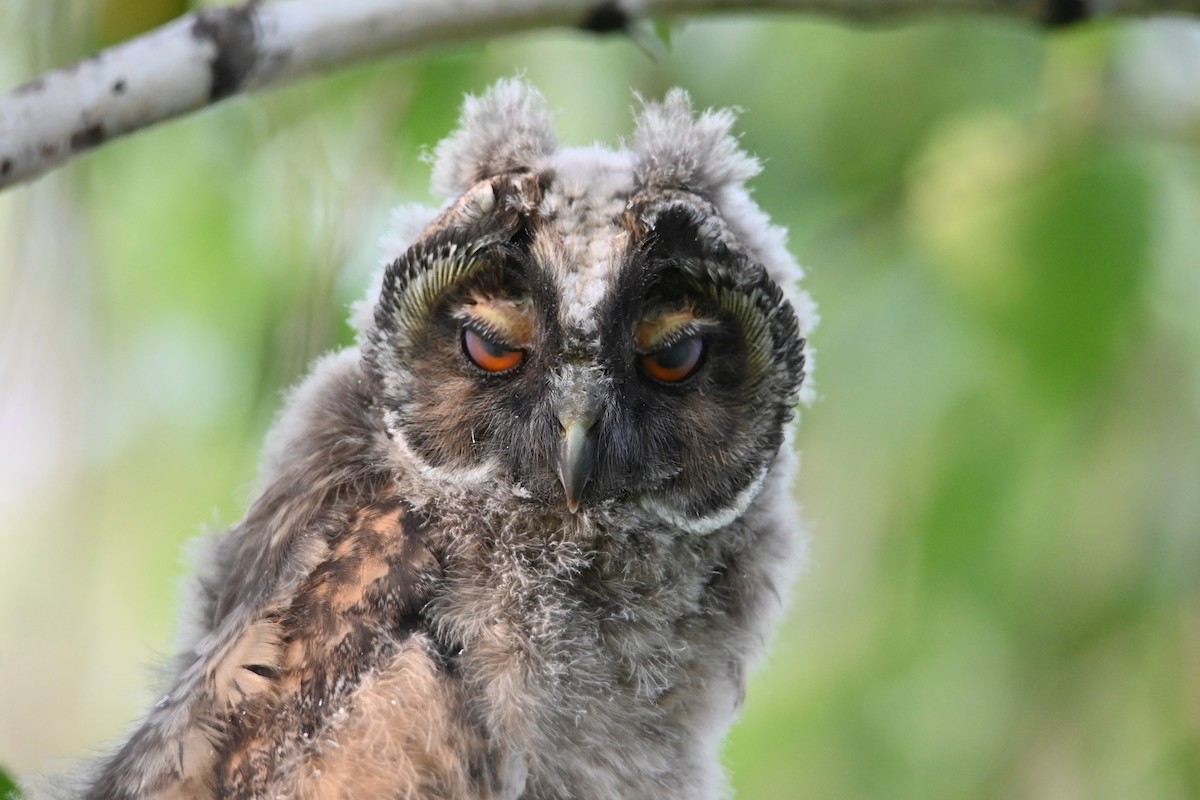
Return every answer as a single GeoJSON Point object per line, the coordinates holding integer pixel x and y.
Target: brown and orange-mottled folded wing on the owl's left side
{"type": "Point", "coordinates": [316, 643]}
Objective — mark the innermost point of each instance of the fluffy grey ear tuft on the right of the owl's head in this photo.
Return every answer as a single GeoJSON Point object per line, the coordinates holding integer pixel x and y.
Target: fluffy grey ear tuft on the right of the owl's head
{"type": "Point", "coordinates": [676, 149]}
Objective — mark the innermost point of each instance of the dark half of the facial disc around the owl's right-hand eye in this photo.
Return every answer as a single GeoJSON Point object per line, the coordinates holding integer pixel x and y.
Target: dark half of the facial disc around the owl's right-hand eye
{"type": "Point", "coordinates": [698, 416]}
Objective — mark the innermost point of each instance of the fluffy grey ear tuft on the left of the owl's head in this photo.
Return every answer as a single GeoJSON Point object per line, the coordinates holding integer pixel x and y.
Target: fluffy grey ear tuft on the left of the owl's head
{"type": "Point", "coordinates": [507, 129]}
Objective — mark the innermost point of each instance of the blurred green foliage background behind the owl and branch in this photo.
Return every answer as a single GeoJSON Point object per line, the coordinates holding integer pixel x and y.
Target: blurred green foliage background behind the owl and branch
{"type": "Point", "coordinates": [1001, 474]}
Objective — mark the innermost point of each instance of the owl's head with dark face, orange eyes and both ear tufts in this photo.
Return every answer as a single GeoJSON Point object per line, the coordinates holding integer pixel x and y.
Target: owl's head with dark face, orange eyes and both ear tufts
{"type": "Point", "coordinates": [589, 328]}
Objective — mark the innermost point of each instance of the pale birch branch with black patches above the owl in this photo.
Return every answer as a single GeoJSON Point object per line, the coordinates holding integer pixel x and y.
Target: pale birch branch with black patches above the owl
{"type": "Point", "coordinates": [203, 58]}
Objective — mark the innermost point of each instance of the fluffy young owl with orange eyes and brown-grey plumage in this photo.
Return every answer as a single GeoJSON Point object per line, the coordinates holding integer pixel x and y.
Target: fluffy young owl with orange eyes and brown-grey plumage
{"type": "Point", "coordinates": [527, 537]}
